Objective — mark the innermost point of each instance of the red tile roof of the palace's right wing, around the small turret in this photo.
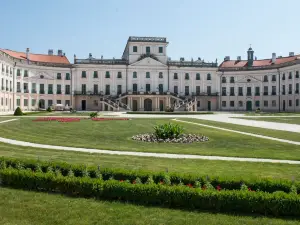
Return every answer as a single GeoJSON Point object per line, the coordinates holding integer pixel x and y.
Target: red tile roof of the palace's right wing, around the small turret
{"type": "Point", "coordinates": [258, 63]}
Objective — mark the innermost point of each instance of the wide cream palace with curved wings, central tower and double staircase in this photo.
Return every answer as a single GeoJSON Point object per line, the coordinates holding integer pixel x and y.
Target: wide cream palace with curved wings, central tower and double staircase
{"type": "Point", "coordinates": [146, 79]}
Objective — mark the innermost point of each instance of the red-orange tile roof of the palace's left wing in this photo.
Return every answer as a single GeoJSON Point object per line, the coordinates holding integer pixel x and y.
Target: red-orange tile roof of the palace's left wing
{"type": "Point", "coordinates": [38, 57]}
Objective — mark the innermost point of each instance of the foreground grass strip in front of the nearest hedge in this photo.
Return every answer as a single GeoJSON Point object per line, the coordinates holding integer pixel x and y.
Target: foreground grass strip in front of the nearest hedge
{"type": "Point", "coordinates": [19, 207]}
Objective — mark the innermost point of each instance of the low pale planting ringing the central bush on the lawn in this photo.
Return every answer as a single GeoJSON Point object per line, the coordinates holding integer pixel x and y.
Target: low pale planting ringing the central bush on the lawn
{"type": "Point", "coordinates": [184, 138]}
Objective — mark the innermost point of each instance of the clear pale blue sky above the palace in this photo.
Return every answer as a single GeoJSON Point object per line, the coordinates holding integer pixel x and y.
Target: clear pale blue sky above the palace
{"type": "Point", "coordinates": [194, 28]}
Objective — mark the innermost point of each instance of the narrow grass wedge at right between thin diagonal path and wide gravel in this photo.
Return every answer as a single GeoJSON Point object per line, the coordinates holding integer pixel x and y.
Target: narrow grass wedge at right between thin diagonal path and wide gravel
{"type": "Point", "coordinates": [292, 136]}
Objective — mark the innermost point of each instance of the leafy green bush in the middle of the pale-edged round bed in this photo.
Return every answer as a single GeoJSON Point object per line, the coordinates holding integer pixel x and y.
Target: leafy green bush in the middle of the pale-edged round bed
{"type": "Point", "coordinates": [168, 131]}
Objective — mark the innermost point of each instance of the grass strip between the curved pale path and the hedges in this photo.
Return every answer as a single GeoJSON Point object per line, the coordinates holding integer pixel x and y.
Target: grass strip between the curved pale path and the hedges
{"type": "Point", "coordinates": [190, 166]}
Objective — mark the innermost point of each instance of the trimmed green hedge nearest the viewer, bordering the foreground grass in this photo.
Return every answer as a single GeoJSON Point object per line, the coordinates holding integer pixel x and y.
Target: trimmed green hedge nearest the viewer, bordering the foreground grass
{"type": "Point", "coordinates": [276, 204]}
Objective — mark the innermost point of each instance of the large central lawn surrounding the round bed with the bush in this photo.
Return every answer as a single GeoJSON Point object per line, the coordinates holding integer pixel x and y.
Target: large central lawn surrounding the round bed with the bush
{"type": "Point", "coordinates": [116, 135]}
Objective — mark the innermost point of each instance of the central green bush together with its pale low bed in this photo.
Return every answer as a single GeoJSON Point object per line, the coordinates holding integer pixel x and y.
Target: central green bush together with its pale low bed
{"type": "Point", "coordinates": [170, 133]}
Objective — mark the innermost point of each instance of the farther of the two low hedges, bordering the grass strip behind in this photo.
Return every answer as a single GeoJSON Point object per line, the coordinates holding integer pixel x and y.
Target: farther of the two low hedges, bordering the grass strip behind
{"type": "Point", "coordinates": [232, 183]}
